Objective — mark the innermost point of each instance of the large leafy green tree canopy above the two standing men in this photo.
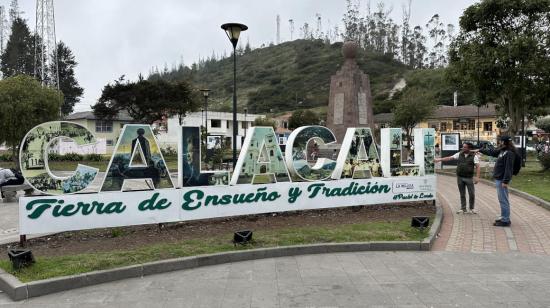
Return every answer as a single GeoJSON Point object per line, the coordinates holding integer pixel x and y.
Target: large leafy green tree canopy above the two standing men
{"type": "Point", "coordinates": [501, 53]}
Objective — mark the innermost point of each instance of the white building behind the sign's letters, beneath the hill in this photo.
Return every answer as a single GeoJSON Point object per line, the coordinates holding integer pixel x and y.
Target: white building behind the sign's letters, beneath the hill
{"type": "Point", "coordinates": [220, 124]}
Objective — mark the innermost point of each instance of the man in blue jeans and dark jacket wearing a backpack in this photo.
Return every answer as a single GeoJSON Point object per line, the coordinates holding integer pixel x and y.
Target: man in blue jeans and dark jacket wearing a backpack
{"type": "Point", "coordinates": [502, 173]}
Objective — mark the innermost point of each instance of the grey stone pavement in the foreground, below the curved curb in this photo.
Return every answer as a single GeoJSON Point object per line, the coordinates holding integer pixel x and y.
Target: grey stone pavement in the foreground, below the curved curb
{"type": "Point", "coordinates": [367, 279]}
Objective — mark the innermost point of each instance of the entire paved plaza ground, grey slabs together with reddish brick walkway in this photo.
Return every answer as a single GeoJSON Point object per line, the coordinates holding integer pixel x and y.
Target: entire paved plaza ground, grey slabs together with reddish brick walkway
{"type": "Point", "coordinates": [473, 264]}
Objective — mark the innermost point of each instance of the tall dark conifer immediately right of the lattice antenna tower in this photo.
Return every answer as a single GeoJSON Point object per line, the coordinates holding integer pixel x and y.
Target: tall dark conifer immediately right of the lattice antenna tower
{"type": "Point", "coordinates": [68, 84]}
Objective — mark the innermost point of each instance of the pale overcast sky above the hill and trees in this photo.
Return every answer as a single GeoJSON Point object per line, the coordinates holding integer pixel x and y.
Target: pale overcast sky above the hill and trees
{"type": "Point", "coordinates": [111, 38]}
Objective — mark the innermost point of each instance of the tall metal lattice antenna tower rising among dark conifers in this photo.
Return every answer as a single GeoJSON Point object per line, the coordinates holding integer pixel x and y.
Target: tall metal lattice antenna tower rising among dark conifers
{"type": "Point", "coordinates": [45, 49]}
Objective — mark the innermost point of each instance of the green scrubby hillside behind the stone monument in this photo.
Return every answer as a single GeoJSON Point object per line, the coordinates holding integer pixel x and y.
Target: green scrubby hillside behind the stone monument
{"type": "Point", "coordinates": [286, 77]}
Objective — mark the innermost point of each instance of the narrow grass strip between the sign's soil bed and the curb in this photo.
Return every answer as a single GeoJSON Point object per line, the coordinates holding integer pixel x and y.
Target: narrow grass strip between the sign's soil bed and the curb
{"type": "Point", "coordinates": [48, 267]}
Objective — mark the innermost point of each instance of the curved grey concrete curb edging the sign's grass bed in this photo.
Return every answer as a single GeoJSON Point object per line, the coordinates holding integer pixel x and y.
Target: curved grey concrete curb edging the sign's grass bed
{"type": "Point", "coordinates": [17, 290]}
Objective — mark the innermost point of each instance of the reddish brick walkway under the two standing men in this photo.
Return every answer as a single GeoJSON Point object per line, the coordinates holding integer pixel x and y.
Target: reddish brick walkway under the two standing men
{"type": "Point", "coordinates": [530, 230]}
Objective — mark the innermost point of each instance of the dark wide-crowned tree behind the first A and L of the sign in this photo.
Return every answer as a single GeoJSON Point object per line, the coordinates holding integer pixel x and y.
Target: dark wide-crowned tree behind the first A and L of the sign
{"type": "Point", "coordinates": [146, 101]}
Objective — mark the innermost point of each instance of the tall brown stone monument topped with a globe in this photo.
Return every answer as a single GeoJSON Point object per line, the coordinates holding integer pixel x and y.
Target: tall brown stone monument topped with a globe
{"type": "Point", "coordinates": [350, 100]}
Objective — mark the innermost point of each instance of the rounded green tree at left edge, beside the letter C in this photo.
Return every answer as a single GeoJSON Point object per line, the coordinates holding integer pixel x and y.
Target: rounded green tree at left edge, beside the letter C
{"type": "Point", "coordinates": [24, 103]}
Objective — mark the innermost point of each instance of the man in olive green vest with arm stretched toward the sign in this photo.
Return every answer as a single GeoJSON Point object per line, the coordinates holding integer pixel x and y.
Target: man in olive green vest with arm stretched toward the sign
{"type": "Point", "coordinates": [467, 166]}
